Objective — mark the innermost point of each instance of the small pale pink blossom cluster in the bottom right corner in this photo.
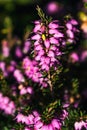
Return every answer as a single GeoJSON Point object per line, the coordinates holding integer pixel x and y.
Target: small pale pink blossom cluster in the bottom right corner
{"type": "Point", "coordinates": [80, 125]}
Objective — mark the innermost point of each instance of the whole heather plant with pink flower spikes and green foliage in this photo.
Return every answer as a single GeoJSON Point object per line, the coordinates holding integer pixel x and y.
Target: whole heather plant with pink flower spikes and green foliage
{"type": "Point", "coordinates": [38, 90]}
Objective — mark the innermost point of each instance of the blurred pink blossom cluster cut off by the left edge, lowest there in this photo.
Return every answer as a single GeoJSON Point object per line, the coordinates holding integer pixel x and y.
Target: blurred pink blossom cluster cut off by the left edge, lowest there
{"type": "Point", "coordinates": [7, 105]}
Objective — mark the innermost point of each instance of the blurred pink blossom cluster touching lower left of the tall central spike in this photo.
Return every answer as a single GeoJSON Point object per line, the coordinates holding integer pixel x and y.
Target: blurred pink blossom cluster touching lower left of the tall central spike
{"type": "Point", "coordinates": [32, 71]}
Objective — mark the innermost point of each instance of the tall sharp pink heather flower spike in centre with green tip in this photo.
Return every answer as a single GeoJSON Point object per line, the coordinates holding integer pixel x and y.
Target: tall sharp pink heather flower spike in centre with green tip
{"type": "Point", "coordinates": [48, 39]}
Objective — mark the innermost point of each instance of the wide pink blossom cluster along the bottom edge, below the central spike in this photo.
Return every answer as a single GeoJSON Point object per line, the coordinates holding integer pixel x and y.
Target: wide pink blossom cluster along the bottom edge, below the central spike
{"type": "Point", "coordinates": [34, 121]}
